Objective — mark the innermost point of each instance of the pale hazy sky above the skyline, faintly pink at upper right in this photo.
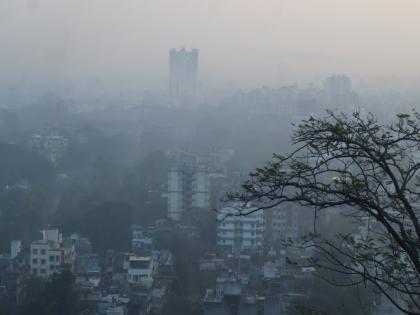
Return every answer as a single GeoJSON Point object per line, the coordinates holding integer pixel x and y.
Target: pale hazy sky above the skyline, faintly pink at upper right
{"type": "Point", "coordinates": [245, 41]}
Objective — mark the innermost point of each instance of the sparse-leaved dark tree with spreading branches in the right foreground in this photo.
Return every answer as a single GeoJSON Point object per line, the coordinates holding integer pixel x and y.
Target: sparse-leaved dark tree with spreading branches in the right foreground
{"type": "Point", "coordinates": [369, 172]}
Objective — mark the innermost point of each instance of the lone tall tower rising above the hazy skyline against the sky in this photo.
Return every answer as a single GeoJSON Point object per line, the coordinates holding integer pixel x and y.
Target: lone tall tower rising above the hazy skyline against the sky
{"type": "Point", "coordinates": [183, 76]}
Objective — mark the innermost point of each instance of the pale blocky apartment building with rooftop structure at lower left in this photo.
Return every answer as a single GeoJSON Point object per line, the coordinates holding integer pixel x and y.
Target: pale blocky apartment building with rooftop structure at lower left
{"type": "Point", "coordinates": [49, 256]}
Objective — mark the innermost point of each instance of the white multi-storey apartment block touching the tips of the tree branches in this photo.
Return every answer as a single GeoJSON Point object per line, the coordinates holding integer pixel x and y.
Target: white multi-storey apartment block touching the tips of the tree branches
{"type": "Point", "coordinates": [240, 234]}
